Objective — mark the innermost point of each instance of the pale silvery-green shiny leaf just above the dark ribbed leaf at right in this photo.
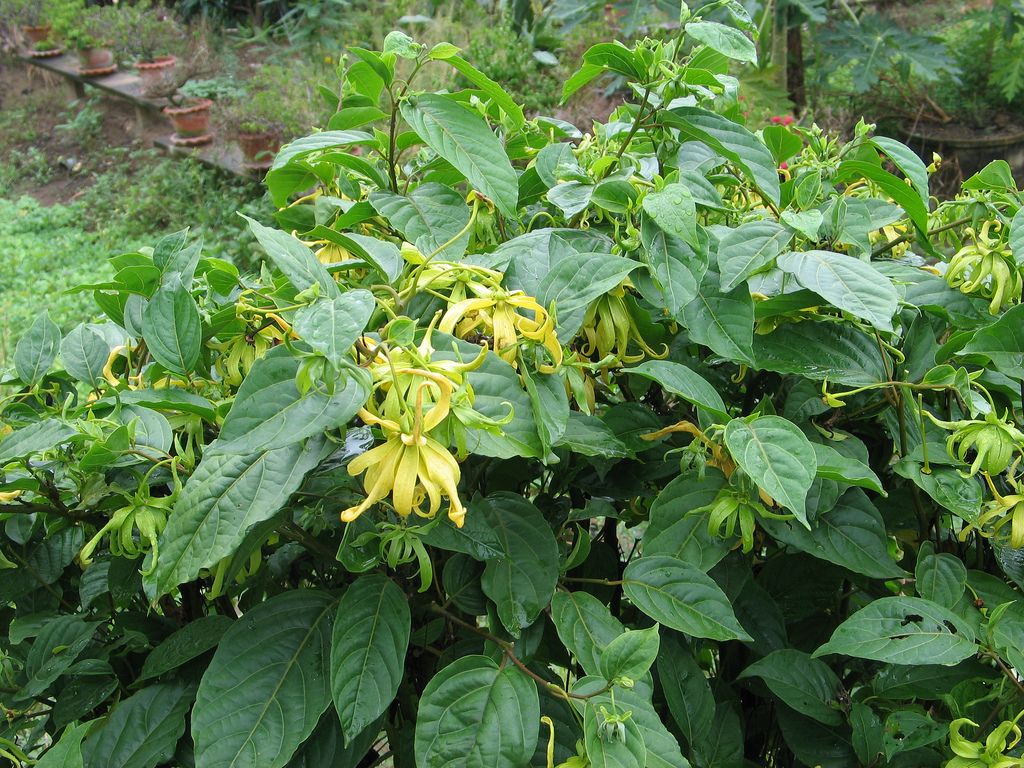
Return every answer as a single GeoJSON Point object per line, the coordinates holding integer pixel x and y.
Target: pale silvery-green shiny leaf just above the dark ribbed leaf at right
{"type": "Point", "coordinates": [846, 283]}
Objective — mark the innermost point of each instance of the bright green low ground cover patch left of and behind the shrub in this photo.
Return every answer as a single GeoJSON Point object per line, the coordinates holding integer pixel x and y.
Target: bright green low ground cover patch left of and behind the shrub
{"type": "Point", "coordinates": [51, 249]}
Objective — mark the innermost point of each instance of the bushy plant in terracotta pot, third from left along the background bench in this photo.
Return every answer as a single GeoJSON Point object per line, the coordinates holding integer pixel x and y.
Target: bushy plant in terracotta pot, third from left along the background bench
{"type": "Point", "coordinates": [149, 36]}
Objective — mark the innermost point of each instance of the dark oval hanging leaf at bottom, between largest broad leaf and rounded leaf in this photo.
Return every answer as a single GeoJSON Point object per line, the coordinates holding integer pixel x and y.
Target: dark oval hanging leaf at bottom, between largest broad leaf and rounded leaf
{"type": "Point", "coordinates": [368, 653]}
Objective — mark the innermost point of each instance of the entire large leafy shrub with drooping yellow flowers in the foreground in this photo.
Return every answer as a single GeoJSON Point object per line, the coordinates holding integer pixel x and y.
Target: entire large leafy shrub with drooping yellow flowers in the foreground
{"type": "Point", "coordinates": [668, 444]}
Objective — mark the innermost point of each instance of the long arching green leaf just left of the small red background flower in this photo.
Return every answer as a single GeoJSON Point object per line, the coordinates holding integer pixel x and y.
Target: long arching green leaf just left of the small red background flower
{"type": "Point", "coordinates": [732, 142]}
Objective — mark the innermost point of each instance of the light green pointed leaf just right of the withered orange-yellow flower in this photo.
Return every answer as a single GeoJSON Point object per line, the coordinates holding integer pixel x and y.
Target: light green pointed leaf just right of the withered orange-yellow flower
{"type": "Point", "coordinates": [777, 456]}
